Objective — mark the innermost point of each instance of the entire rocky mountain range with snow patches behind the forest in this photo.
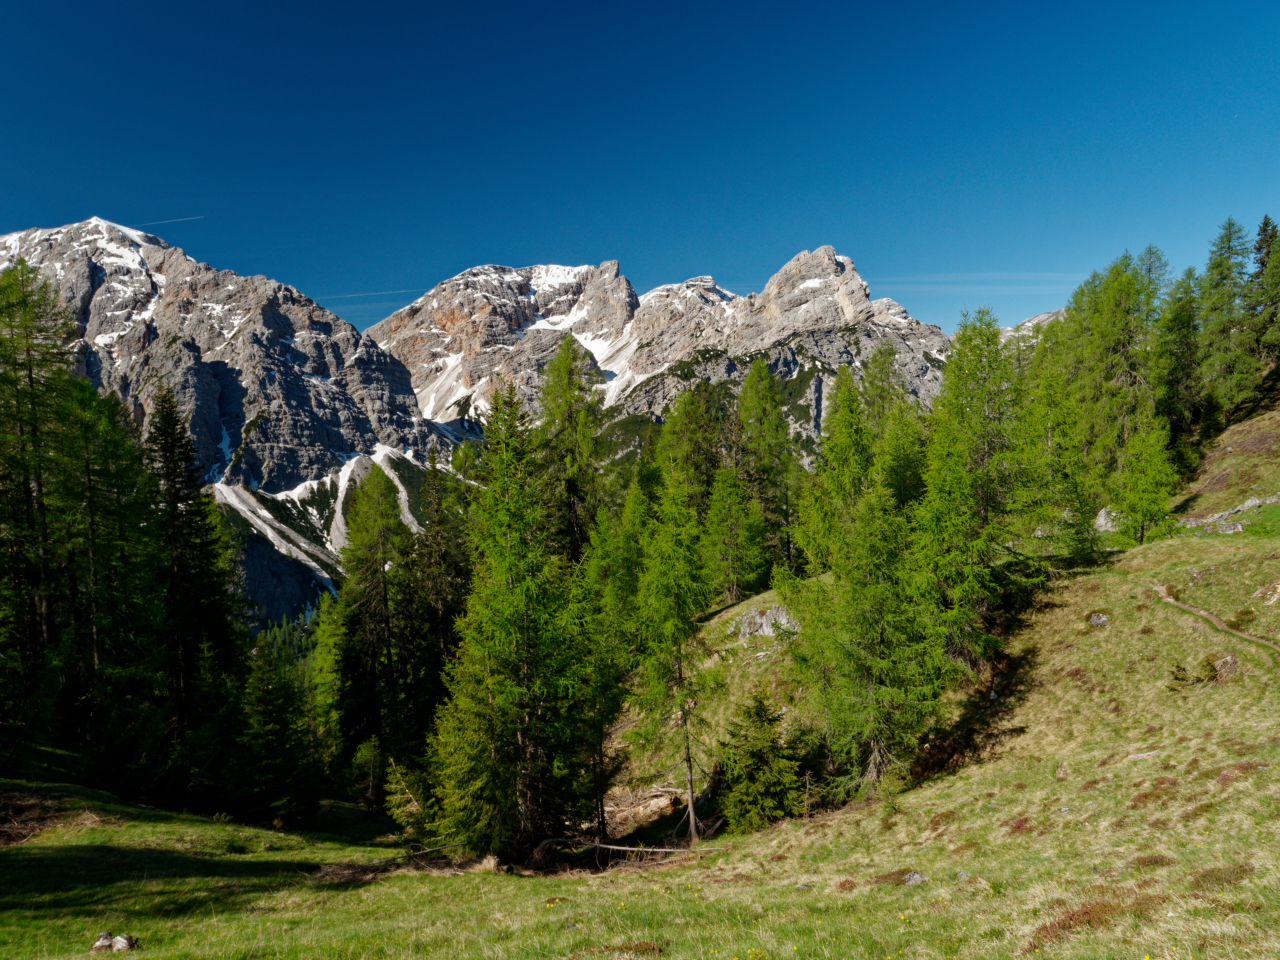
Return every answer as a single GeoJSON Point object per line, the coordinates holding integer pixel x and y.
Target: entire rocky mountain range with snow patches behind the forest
{"type": "Point", "coordinates": [291, 406]}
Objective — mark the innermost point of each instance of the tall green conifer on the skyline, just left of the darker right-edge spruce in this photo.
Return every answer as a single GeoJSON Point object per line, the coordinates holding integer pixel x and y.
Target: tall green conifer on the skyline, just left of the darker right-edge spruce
{"type": "Point", "coordinates": [1231, 355]}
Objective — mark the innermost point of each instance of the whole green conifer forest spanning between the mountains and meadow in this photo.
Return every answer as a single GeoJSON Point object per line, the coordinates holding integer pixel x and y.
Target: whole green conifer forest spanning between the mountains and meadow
{"type": "Point", "coordinates": [490, 679]}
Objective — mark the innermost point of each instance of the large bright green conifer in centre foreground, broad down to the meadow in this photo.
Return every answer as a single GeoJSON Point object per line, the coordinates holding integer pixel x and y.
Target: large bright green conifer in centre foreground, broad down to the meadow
{"type": "Point", "coordinates": [508, 756]}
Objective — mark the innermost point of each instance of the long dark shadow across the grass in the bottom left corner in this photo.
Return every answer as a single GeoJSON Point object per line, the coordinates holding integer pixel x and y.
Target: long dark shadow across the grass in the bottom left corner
{"type": "Point", "coordinates": [89, 880]}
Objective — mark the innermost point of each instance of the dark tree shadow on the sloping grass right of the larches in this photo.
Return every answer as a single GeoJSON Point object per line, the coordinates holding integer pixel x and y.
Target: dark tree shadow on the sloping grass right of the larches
{"type": "Point", "coordinates": [984, 724]}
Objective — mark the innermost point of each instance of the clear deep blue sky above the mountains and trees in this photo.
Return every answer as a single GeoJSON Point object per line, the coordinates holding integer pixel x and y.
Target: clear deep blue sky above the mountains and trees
{"type": "Point", "coordinates": [961, 156]}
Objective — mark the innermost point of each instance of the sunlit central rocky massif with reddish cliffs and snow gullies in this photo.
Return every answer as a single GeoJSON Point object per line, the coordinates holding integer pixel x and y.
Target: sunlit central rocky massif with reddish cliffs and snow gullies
{"type": "Point", "coordinates": [812, 317]}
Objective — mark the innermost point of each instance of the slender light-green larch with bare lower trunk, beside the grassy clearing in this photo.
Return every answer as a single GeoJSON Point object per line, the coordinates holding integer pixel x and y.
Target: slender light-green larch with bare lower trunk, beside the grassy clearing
{"type": "Point", "coordinates": [673, 593]}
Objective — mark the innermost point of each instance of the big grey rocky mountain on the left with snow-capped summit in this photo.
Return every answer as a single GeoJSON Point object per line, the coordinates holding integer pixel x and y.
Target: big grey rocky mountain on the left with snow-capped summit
{"type": "Point", "coordinates": [280, 390]}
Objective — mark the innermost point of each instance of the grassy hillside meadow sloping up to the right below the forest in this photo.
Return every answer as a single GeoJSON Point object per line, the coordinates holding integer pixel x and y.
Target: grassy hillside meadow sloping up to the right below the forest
{"type": "Point", "coordinates": [1094, 810]}
